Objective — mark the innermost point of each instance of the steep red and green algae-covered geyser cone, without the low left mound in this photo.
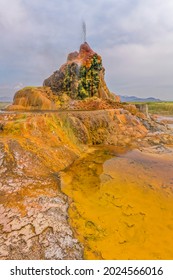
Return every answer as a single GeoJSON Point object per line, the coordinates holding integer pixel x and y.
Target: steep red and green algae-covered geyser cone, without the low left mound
{"type": "Point", "coordinates": [81, 76]}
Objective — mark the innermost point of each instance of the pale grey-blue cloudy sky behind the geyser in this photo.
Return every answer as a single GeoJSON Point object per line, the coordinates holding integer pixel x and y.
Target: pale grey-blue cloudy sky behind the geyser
{"type": "Point", "coordinates": [134, 38]}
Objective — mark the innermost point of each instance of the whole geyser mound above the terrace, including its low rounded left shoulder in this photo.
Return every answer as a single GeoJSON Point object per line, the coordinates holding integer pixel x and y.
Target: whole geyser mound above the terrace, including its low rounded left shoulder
{"type": "Point", "coordinates": [80, 78]}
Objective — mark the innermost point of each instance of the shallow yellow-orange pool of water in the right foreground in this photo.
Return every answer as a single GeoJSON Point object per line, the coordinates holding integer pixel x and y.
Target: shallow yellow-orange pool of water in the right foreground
{"type": "Point", "coordinates": [122, 205]}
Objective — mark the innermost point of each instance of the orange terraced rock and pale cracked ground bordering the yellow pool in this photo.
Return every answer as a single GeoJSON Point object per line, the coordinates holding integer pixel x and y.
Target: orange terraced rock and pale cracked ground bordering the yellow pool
{"type": "Point", "coordinates": [34, 149]}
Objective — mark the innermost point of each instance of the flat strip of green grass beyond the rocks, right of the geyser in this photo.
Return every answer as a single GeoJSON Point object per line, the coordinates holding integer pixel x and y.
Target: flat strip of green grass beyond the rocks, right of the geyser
{"type": "Point", "coordinates": [160, 108]}
